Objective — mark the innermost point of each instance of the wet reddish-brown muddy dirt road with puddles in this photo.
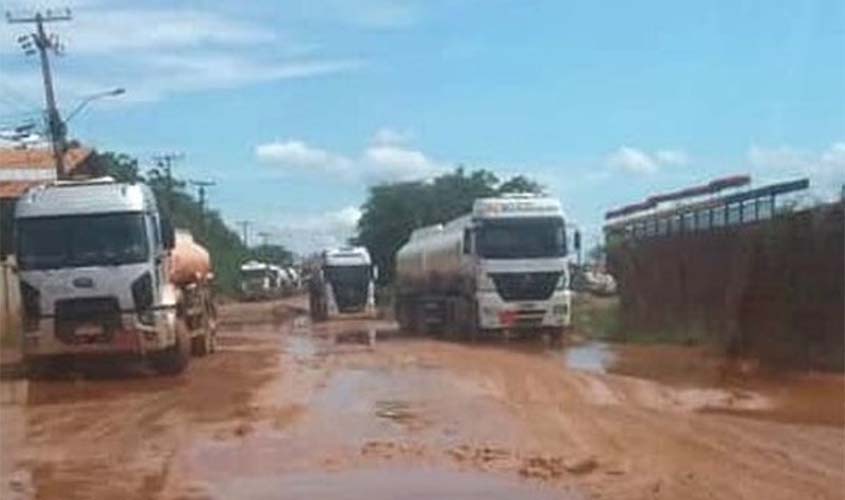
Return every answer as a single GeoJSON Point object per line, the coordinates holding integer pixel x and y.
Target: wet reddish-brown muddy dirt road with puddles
{"type": "Point", "coordinates": [351, 409]}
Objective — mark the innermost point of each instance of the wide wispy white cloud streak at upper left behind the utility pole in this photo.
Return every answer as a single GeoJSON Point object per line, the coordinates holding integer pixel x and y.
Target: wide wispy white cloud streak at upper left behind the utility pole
{"type": "Point", "coordinates": [157, 52]}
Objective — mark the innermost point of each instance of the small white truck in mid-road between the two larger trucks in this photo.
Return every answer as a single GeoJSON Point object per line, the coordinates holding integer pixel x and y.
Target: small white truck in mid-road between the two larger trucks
{"type": "Point", "coordinates": [342, 282]}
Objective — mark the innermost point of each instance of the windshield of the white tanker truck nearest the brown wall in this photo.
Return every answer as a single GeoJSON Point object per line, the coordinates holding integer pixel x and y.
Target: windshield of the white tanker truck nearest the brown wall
{"type": "Point", "coordinates": [521, 239]}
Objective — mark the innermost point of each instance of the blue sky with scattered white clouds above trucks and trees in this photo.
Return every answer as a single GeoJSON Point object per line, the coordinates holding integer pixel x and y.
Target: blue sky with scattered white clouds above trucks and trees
{"type": "Point", "coordinates": [295, 107]}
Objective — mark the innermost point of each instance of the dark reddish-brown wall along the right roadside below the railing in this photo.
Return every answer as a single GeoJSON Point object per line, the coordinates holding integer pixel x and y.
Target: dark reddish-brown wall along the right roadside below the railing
{"type": "Point", "coordinates": [773, 290]}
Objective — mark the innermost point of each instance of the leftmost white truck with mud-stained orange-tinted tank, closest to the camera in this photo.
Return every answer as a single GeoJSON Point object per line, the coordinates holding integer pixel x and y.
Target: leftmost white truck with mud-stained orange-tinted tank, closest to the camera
{"type": "Point", "coordinates": [103, 273]}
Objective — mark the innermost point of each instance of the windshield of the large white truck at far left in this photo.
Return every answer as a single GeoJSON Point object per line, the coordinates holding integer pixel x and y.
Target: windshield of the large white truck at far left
{"type": "Point", "coordinates": [82, 240]}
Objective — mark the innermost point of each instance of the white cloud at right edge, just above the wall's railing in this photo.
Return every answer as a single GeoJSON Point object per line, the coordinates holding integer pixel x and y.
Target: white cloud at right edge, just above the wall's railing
{"type": "Point", "coordinates": [825, 169]}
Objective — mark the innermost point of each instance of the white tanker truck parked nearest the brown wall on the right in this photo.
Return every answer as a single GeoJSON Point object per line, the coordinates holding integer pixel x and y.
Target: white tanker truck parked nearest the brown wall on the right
{"type": "Point", "coordinates": [501, 268]}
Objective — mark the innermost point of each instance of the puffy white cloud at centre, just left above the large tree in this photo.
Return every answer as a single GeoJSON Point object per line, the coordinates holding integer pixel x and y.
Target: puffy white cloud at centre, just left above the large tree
{"type": "Point", "coordinates": [385, 160]}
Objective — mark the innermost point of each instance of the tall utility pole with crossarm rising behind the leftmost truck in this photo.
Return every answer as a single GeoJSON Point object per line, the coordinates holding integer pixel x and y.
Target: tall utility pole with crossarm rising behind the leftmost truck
{"type": "Point", "coordinates": [42, 43]}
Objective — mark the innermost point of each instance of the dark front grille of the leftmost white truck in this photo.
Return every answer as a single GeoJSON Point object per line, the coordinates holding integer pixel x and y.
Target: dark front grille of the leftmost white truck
{"type": "Point", "coordinates": [73, 313]}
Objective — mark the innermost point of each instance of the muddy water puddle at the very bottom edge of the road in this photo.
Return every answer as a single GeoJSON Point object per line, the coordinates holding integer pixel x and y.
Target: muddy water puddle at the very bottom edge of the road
{"type": "Point", "coordinates": [387, 483]}
